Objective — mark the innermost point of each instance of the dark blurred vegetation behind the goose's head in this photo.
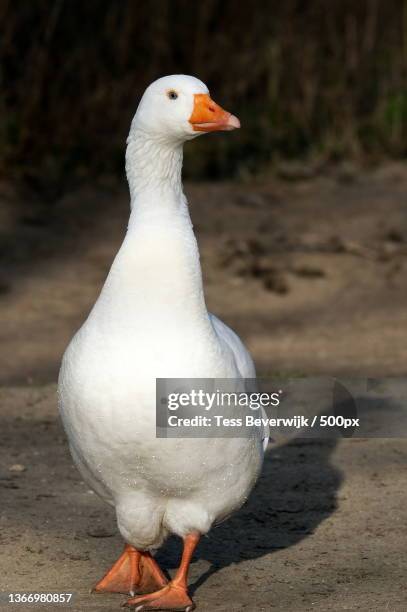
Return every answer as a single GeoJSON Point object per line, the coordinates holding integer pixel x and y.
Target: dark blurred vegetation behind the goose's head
{"type": "Point", "coordinates": [318, 79]}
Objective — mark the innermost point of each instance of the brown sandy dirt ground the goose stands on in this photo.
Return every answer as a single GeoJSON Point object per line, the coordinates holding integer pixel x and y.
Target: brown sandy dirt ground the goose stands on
{"type": "Point", "coordinates": [311, 273]}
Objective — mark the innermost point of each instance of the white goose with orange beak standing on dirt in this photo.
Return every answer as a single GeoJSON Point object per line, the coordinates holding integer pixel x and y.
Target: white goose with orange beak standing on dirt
{"type": "Point", "coordinates": [151, 321]}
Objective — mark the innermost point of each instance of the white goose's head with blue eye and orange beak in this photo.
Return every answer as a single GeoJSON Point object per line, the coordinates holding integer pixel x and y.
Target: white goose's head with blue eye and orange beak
{"type": "Point", "coordinates": [179, 108]}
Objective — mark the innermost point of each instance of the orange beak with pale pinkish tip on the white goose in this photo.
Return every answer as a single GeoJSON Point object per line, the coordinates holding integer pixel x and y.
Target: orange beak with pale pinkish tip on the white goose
{"type": "Point", "coordinates": [207, 116]}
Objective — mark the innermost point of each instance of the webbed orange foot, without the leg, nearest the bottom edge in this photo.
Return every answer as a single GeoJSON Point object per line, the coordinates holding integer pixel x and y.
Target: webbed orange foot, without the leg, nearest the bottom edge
{"type": "Point", "coordinates": [171, 597]}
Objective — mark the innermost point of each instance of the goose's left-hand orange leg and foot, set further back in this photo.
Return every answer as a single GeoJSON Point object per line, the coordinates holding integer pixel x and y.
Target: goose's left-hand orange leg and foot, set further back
{"type": "Point", "coordinates": [133, 572]}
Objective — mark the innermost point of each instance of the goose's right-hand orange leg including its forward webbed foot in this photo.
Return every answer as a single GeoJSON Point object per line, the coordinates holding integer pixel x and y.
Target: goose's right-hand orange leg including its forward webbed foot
{"type": "Point", "coordinates": [174, 596]}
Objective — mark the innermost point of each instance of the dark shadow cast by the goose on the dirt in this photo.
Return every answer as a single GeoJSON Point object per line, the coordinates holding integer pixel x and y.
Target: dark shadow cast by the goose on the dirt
{"type": "Point", "coordinates": [294, 494]}
